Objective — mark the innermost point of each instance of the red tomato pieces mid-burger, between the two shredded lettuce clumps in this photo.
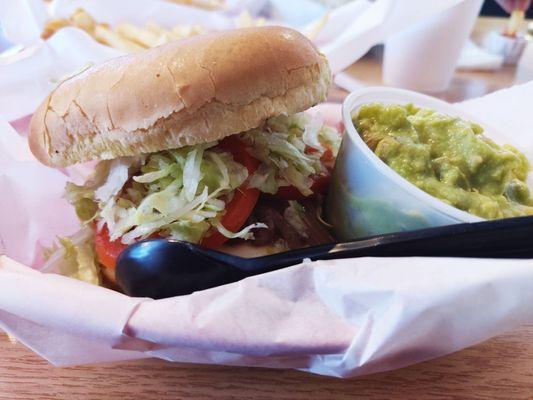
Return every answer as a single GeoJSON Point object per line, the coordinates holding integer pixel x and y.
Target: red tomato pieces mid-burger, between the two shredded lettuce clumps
{"type": "Point", "coordinates": [244, 199]}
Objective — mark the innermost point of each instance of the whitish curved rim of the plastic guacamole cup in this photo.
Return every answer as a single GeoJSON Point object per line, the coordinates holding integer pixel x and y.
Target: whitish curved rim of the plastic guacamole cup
{"type": "Point", "coordinates": [401, 96]}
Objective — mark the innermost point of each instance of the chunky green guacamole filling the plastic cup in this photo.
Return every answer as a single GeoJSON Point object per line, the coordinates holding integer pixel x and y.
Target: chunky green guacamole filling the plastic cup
{"type": "Point", "coordinates": [448, 158]}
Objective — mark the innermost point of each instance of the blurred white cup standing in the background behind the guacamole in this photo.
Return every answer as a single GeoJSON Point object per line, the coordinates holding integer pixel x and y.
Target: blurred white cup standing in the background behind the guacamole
{"type": "Point", "coordinates": [424, 56]}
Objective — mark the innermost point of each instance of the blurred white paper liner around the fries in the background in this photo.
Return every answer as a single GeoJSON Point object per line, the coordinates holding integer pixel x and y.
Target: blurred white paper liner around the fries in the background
{"type": "Point", "coordinates": [347, 34]}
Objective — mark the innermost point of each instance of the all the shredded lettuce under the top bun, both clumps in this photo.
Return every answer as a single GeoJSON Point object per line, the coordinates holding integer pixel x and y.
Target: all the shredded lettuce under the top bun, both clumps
{"type": "Point", "coordinates": [182, 193]}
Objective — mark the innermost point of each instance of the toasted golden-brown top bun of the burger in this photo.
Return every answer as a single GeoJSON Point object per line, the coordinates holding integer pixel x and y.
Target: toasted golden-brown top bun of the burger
{"type": "Point", "coordinates": [186, 92]}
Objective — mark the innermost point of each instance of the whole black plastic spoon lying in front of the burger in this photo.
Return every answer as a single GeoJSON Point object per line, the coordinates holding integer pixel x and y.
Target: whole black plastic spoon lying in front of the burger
{"type": "Point", "coordinates": [161, 268]}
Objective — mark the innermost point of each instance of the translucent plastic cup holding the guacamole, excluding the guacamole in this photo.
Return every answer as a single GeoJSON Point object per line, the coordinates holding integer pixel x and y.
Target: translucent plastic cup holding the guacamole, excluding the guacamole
{"type": "Point", "coordinates": [366, 196]}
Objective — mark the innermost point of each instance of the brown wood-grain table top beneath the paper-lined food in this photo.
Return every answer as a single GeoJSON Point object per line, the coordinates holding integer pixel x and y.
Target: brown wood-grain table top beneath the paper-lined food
{"type": "Point", "coordinates": [501, 368]}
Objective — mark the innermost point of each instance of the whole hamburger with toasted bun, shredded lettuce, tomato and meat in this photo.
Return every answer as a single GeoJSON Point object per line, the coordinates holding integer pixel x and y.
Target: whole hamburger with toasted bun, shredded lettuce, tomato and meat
{"type": "Point", "coordinates": [201, 140]}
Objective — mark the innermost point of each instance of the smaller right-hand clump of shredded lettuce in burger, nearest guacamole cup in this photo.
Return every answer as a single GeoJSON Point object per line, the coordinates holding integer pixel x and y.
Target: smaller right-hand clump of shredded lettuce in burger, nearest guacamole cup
{"type": "Point", "coordinates": [282, 143]}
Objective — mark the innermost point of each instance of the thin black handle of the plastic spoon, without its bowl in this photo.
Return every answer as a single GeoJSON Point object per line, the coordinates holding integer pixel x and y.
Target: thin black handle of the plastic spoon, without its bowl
{"type": "Point", "coordinates": [505, 238]}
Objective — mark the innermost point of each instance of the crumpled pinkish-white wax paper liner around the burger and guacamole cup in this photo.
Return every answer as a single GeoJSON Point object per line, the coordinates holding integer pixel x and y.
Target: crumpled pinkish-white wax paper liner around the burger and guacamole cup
{"type": "Point", "coordinates": [340, 318]}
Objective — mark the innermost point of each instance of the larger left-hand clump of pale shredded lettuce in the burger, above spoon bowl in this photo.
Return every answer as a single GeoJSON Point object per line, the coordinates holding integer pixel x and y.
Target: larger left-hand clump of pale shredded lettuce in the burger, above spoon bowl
{"type": "Point", "coordinates": [180, 193]}
